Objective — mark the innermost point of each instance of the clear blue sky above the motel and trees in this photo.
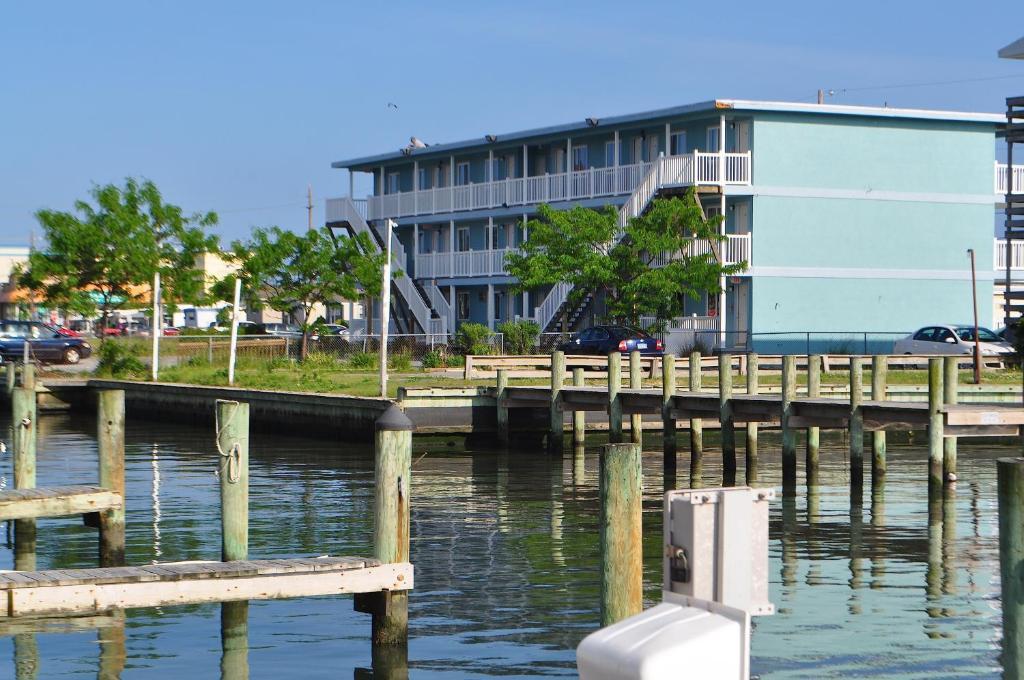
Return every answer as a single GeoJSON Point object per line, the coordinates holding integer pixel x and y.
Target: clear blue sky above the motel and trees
{"type": "Point", "coordinates": [238, 107]}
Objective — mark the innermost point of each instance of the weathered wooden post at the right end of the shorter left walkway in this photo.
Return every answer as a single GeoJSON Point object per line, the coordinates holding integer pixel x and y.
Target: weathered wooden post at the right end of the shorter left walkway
{"type": "Point", "coordinates": [111, 443]}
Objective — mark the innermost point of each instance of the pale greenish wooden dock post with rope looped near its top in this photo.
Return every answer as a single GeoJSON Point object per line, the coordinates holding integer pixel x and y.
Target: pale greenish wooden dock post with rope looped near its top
{"type": "Point", "coordinates": [233, 444]}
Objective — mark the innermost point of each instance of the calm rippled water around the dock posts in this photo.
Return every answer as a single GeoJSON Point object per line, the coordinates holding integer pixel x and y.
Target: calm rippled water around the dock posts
{"type": "Point", "coordinates": [506, 555]}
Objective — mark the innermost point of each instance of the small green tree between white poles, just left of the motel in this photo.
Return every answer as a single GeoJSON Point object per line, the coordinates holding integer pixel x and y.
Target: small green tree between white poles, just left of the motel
{"type": "Point", "coordinates": [289, 272]}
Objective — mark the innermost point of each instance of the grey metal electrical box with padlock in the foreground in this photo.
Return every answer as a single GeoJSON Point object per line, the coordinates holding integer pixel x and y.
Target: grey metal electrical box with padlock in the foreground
{"type": "Point", "coordinates": [717, 546]}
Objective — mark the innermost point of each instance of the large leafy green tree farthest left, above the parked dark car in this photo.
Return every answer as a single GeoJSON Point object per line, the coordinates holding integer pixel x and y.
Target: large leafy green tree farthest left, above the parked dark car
{"type": "Point", "coordinates": [101, 257]}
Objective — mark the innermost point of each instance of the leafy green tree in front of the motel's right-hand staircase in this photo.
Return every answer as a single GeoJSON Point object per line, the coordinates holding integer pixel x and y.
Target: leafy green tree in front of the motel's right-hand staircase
{"type": "Point", "coordinates": [582, 247]}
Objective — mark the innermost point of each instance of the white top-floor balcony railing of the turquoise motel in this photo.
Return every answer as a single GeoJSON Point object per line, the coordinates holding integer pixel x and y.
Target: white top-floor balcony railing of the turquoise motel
{"type": "Point", "coordinates": [696, 168]}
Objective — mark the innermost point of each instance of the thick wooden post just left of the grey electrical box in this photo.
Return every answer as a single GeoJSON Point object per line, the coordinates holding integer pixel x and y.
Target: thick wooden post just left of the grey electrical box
{"type": "Point", "coordinates": [622, 530]}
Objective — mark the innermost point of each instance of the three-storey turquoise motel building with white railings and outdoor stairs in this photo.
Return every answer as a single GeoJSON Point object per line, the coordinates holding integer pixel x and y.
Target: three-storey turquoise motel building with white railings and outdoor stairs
{"type": "Point", "coordinates": [849, 220]}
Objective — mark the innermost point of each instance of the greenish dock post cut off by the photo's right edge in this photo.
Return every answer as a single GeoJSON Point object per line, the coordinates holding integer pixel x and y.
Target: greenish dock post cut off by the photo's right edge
{"type": "Point", "coordinates": [1010, 486]}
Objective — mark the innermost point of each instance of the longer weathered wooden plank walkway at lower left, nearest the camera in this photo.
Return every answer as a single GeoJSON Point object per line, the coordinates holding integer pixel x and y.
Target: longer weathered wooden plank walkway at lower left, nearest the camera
{"type": "Point", "coordinates": [96, 590]}
